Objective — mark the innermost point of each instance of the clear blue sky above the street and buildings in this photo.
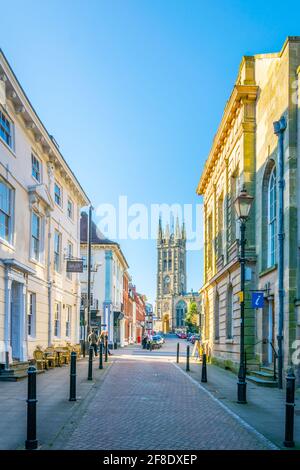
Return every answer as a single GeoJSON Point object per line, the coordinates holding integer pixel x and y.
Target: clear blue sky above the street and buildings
{"type": "Point", "coordinates": [133, 91]}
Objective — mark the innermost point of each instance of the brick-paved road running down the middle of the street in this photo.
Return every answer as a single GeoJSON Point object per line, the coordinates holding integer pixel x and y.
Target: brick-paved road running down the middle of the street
{"type": "Point", "coordinates": [153, 405]}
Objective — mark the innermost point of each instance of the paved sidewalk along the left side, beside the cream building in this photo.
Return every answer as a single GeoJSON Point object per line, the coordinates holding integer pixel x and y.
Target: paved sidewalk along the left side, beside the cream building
{"type": "Point", "coordinates": [54, 411]}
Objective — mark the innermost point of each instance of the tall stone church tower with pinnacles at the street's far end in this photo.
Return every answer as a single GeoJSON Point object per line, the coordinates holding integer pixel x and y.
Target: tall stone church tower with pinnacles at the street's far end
{"type": "Point", "coordinates": [171, 271]}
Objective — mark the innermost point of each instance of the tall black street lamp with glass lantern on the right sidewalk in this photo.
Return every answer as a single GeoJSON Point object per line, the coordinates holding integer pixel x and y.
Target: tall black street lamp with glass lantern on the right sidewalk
{"type": "Point", "coordinates": [242, 206]}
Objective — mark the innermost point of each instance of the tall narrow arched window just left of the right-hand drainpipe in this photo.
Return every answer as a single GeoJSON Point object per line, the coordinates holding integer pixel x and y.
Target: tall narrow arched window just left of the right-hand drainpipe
{"type": "Point", "coordinates": [272, 218]}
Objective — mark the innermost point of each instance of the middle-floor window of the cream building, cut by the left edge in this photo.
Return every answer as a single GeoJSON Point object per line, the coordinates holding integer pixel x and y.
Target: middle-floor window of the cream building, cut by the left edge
{"type": "Point", "coordinates": [6, 211]}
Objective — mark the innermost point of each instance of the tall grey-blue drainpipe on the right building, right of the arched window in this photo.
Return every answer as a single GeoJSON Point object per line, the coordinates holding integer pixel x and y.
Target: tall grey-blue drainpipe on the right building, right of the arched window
{"type": "Point", "coordinates": [279, 129]}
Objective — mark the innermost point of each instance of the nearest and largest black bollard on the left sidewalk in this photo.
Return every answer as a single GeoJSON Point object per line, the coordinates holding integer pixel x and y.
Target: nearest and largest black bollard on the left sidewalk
{"type": "Point", "coordinates": [31, 442]}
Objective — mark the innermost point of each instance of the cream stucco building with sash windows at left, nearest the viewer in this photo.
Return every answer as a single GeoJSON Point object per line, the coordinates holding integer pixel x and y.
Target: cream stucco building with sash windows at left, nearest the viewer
{"type": "Point", "coordinates": [40, 202]}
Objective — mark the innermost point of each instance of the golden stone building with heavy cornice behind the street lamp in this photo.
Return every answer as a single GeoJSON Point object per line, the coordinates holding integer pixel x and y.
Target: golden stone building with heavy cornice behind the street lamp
{"type": "Point", "coordinates": [245, 153]}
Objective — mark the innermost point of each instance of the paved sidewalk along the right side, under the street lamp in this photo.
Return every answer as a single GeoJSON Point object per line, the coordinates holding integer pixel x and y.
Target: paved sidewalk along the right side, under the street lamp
{"type": "Point", "coordinates": [265, 410]}
